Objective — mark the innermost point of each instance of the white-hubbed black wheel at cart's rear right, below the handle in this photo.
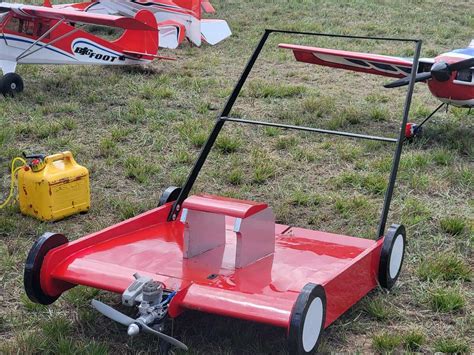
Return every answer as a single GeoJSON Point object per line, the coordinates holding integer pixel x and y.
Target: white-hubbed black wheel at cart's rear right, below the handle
{"type": "Point", "coordinates": [392, 255]}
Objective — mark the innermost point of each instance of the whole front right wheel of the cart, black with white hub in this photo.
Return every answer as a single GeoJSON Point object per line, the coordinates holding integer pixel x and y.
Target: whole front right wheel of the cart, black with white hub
{"type": "Point", "coordinates": [307, 320]}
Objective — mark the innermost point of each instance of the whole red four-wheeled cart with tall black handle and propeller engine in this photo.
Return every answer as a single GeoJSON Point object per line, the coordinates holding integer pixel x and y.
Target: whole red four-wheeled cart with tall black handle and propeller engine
{"type": "Point", "coordinates": [225, 256]}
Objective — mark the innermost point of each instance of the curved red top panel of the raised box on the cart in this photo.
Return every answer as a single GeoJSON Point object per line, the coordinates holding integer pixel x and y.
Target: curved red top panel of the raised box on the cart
{"type": "Point", "coordinates": [222, 205]}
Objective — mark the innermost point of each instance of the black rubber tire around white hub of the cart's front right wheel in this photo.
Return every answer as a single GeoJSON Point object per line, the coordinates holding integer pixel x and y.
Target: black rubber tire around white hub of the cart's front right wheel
{"type": "Point", "coordinates": [299, 312]}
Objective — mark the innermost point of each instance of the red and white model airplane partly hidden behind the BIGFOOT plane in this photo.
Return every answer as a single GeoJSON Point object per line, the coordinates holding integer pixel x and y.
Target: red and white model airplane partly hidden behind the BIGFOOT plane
{"type": "Point", "coordinates": [185, 15]}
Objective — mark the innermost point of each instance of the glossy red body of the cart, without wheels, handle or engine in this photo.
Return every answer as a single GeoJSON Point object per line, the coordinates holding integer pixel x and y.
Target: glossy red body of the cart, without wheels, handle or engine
{"type": "Point", "coordinates": [264, 291]}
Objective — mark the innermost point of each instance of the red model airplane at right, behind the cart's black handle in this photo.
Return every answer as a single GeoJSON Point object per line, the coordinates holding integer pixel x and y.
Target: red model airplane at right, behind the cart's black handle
{"type": "Point", "coordinates": [450, 76]}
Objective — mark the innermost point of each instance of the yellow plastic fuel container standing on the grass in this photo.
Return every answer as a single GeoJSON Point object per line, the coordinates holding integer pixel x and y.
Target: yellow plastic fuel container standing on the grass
{"type": "Point", "coordinates": [55, 189]}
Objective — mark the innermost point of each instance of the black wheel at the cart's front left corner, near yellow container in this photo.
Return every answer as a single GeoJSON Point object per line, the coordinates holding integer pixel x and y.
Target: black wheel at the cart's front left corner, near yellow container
{"type": "Point", "coordinates": [33, 265]}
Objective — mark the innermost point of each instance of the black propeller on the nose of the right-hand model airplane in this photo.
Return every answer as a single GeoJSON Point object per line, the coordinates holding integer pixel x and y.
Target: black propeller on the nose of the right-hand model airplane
{"type": "Point", "coordinates": [441, 71]}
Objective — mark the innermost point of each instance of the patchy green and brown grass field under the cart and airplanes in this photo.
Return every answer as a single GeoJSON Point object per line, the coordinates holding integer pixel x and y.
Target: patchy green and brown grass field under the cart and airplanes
{"type": "Point", "coordinates": [139, 131]}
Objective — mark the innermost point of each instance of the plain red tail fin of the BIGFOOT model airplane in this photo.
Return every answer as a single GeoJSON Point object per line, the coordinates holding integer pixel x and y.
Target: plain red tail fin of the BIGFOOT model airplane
{"type": "Point", "coordinates": [141, 42]}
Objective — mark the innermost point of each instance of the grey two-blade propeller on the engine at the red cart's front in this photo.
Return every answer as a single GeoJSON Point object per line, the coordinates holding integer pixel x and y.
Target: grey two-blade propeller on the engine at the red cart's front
{"type": "Point", "coordinates": [134, 325]}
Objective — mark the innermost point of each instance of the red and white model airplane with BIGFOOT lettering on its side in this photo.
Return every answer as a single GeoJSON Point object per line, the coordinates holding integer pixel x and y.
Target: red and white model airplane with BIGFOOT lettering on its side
{"type": "Point", "coordinates": [44, 35]}
